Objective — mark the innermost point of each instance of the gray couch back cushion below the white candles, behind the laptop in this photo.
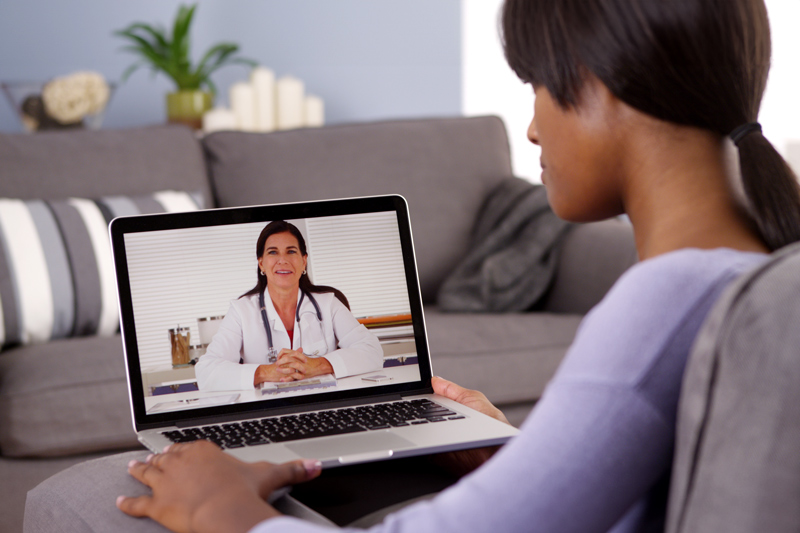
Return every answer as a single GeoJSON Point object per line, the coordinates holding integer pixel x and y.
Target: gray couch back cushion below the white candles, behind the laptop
{"type": "Point", "coordinates": [445, 168]}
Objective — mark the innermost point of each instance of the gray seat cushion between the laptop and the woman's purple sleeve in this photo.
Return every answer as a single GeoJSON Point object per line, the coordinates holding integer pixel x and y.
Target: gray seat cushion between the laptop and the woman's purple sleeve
{"type": "Point", "coordinates": [509, 357]}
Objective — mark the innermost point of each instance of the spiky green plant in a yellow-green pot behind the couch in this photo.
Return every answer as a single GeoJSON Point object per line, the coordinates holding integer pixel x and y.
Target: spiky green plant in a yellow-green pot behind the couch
{"type": "Point", "coordinates": [170, 55]}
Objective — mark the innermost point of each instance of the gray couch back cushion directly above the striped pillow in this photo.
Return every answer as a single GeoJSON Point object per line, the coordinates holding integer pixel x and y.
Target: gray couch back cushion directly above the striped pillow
{"type": "Point", "coordinates": [91, 164]}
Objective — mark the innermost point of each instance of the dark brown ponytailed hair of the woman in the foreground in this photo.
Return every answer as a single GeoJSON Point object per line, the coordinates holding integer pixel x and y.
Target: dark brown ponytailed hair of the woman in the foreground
{"type": "Point", "coordinates": [700, 63]}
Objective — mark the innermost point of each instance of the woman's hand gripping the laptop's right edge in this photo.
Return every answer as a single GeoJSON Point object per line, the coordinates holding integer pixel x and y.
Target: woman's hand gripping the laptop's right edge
{"type": "Point", "coordinates": [463, 462]}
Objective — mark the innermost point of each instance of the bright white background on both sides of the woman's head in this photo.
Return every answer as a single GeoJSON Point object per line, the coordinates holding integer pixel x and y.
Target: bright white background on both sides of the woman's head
{"type": "Point", "coordinates": [490, 87]}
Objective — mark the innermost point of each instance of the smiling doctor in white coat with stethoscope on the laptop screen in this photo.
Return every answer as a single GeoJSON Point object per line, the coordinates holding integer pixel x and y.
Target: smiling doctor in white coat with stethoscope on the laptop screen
{"type": "Point", "coordinates": [286, 328]}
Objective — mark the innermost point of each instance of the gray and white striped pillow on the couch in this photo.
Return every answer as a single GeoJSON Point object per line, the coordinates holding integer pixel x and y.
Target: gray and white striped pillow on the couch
{"type": "Point", "coordinates": [56, 271]}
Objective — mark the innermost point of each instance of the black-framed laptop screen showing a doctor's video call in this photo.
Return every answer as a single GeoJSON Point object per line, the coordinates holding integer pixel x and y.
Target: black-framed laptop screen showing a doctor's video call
{"type": "Point", "coordinates": [204, 338]}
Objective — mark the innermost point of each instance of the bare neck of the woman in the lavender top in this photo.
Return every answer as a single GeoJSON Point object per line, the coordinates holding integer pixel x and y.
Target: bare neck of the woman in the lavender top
{"type": "Point", "coordinates": [679, 195]}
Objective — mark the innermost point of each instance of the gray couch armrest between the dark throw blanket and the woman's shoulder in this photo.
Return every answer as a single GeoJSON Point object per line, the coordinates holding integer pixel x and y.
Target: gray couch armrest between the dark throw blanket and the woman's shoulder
{"type": "Point", "coordinates": [593, 257]}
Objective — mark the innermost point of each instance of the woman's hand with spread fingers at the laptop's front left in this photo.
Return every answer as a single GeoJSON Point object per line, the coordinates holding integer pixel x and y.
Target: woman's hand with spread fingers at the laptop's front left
{"type": "Point", "coordinates": [198, 487]}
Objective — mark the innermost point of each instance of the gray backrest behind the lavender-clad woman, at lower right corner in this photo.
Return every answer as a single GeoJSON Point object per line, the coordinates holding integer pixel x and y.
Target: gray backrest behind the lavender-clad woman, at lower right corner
{"type": "Point", "coordinates": [737, 462]}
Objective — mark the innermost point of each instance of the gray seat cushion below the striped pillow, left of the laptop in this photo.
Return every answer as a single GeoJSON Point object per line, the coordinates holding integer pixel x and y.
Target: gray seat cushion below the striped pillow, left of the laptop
{"type": "Point", "coordinates": [66, 396]}
